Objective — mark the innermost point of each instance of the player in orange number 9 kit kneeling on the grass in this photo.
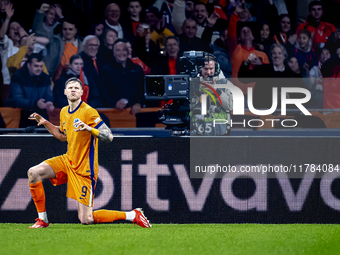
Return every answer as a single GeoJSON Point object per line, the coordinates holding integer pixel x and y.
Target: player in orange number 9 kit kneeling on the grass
{"type": "Point", "coordinates": [80, 126]}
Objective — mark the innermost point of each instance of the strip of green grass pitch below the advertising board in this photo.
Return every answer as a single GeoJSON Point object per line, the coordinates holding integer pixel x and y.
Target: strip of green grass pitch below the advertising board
{"type": "Point", "coordinates": [170, 239]}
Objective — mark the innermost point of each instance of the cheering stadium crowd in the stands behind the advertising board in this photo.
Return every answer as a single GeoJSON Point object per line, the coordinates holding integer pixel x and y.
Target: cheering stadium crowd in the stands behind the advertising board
{"type": "Point", "coordinates": [111, 45]}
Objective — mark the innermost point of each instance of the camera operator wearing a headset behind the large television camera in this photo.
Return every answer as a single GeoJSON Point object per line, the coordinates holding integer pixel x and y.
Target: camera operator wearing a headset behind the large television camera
{"type": "Point", "coordinates": [211, 74]}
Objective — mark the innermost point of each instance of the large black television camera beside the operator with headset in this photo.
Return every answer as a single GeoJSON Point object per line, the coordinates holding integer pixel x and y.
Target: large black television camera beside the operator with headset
{"type": "Point", "coordinates": [182, 93]}
